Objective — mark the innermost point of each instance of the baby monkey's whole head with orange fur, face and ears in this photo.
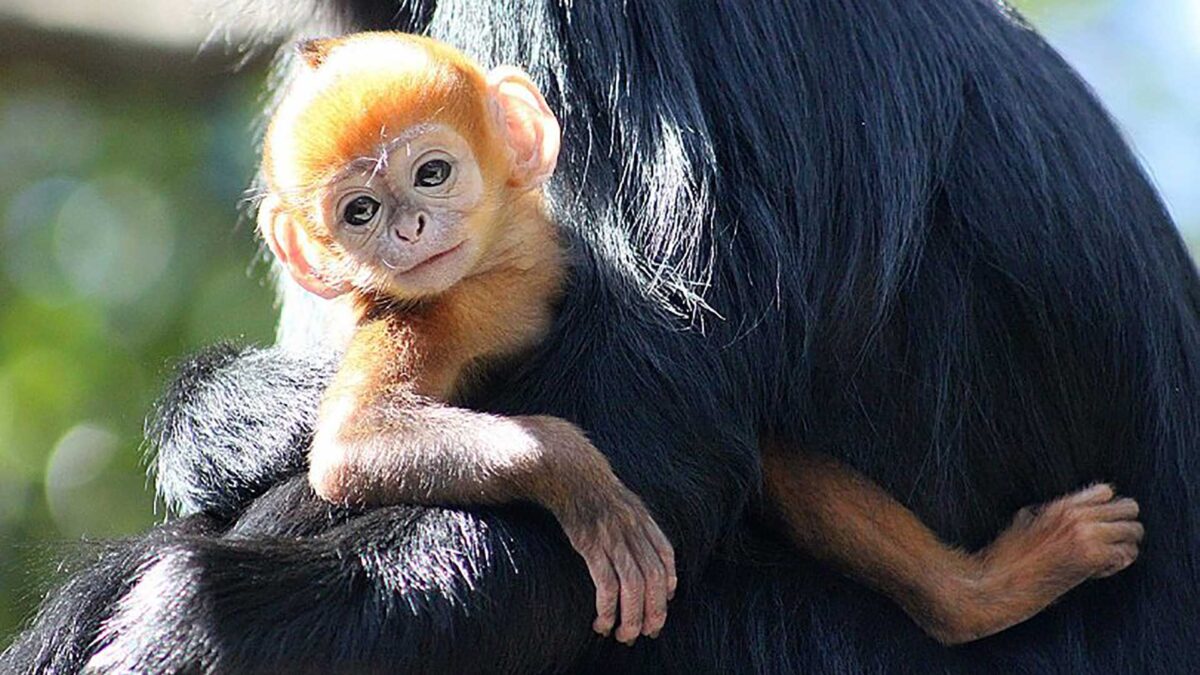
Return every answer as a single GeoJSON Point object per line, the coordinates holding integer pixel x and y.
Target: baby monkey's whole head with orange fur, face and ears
{"type": "Point", "coordinates": [395, 163]}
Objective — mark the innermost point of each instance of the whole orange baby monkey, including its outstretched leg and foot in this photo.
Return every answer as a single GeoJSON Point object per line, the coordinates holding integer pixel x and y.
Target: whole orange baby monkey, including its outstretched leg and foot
{"type": "Point", "coordinates": [403, 176]}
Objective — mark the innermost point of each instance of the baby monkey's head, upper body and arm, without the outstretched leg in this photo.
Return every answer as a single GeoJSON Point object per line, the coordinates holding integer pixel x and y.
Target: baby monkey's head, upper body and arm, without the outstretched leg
{"type": "Point", "coordinates": [404, 176]}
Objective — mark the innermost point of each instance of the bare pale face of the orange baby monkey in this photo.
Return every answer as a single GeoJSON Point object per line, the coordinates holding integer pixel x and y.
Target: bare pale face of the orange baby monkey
{"type": "Point", "coordinates": [410, 217]}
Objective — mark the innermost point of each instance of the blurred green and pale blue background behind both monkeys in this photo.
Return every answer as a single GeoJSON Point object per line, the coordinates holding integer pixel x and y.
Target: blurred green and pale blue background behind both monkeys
{"type": "Point", "coordinates": [124, 153]}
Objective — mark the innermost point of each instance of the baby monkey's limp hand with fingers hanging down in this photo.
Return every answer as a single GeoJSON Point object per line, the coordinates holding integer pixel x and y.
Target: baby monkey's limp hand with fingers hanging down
{"type": "Point", "coordinates": [632, 563]}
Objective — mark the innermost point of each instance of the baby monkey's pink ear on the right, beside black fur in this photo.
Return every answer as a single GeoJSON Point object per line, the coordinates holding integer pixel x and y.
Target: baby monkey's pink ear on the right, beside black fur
{"type": "Point", "coordinates": [531, 130]}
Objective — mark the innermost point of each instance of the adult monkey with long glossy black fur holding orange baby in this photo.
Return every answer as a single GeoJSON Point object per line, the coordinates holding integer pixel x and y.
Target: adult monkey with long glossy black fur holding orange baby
{"type": "Point", "coordinates": [901, 234]}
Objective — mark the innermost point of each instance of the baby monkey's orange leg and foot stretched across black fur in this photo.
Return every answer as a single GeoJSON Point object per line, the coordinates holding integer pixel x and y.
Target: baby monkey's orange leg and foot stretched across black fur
{"type": "Point", "coordinates": [842, 517]}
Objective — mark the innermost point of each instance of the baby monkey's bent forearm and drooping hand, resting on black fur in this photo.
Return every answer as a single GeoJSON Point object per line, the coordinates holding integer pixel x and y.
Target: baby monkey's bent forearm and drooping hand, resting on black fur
{"type": "Point", "coordinates": [439, 455]}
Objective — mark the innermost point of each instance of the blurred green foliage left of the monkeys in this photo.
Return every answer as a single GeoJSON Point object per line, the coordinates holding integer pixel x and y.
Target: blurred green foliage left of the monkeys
{"type": "Point", "coordinates": [119, 252]}
